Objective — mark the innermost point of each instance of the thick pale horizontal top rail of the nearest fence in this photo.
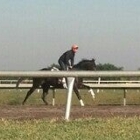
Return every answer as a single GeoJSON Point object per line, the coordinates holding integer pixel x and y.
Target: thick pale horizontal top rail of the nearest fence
{"type": "Point", "coordinates": [69, 73]}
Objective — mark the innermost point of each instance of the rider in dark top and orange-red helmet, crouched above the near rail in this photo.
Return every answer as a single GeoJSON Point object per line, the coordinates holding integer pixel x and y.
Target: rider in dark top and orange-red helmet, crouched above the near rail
{"type": "Point", "coordinates": [66, 60]}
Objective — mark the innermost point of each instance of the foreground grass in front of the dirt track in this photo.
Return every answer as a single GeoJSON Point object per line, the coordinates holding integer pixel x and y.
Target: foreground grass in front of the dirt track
{"type": "Point", "coordinates": [87, 129]}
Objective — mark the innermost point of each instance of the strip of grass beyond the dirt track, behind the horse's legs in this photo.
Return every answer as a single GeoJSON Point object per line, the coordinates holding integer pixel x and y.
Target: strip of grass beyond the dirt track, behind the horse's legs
{"type": "Point", "coordinates": [109, 97]}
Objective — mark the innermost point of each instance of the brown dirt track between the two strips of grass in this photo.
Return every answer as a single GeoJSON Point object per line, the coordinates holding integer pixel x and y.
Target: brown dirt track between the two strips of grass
{"type": "Point", "coordinates": [50, 112]}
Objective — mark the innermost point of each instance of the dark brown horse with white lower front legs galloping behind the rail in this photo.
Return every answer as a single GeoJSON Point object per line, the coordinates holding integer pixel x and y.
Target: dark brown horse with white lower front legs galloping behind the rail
{"type": "Point", "coordinates": [48, 82]}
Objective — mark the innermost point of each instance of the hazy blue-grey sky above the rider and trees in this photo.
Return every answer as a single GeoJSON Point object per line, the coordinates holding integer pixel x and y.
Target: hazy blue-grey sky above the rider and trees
{"type": "Point", "coordinates": [34, 33]}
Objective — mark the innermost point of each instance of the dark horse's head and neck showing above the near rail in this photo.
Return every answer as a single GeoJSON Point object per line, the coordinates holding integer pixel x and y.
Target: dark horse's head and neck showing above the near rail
{"type": "Point", "coordinates": [86, 65]}
